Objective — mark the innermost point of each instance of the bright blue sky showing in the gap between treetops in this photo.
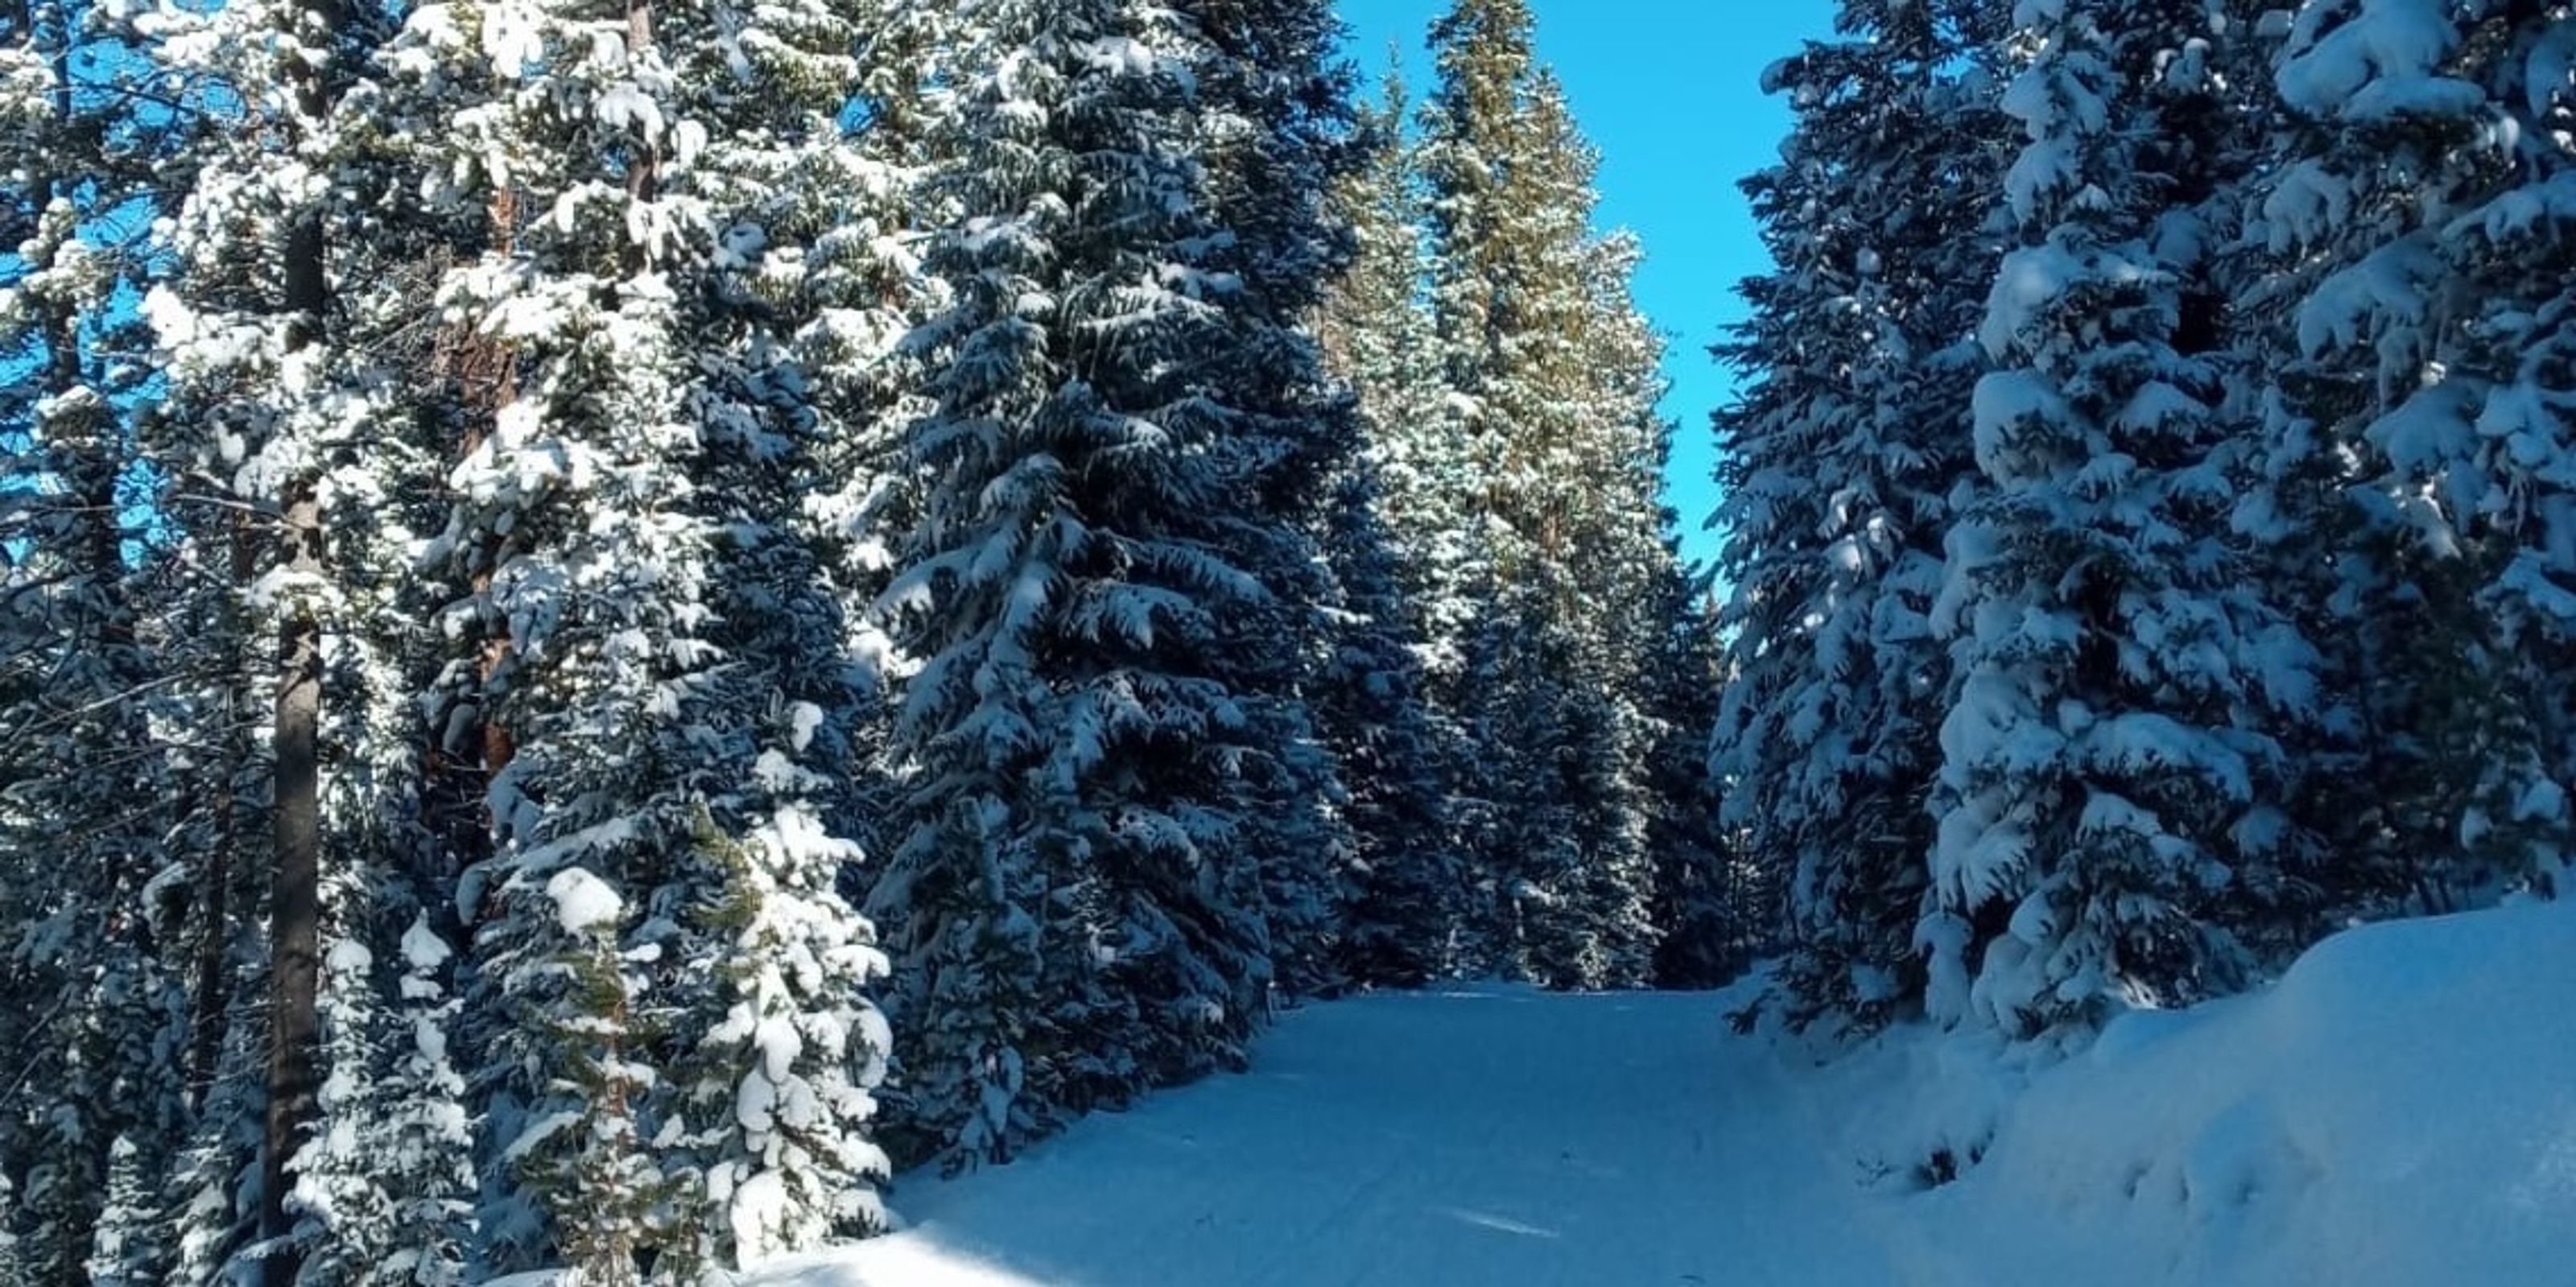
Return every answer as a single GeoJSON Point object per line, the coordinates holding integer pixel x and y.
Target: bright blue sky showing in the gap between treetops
{"type": "Point", "coordinates": [1671, 91]}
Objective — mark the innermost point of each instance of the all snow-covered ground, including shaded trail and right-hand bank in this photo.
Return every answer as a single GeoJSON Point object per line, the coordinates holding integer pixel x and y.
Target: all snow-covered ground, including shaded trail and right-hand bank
{"type": "Point", "coordinates": [2400, 1111]}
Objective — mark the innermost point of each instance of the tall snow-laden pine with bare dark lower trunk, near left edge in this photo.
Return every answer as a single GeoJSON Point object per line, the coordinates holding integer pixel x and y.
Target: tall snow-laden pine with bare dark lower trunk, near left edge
{"type": "Point", "coordinates": [279, 408]}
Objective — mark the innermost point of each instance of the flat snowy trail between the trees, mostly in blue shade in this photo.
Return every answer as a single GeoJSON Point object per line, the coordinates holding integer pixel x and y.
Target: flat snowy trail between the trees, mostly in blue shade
{"type": "Point", "coordinates": [1495, 1139]}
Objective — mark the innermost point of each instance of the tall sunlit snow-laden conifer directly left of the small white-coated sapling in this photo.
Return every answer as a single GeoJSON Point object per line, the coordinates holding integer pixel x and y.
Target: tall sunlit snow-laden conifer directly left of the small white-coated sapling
{"type": "Point", "coordinates": [578, 562]}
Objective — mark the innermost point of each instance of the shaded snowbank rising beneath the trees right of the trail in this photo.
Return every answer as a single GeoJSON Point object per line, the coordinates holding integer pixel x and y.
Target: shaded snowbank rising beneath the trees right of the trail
{"type": "Point", "coordinates": [2397, 1111]}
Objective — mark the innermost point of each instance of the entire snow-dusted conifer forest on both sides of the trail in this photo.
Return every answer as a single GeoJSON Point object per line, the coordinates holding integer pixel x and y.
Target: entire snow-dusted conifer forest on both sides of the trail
{"type": "Point", "coordinates": [622, 616]}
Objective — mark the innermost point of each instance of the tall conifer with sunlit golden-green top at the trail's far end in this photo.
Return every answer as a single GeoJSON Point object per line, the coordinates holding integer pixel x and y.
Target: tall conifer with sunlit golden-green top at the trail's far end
{"type": "Point", "coordinates": [1544, 364]}
